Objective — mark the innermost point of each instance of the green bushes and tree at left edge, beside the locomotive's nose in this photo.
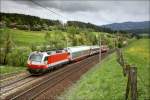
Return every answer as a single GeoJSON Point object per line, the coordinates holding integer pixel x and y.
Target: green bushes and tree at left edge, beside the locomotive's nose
{"type": "Point", "coordinates": [9, 53]}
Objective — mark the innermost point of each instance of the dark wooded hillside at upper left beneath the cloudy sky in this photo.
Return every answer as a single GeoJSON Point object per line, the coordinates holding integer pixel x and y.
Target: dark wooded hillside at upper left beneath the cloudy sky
{"type": "Point", "coordinates": [26, 22]}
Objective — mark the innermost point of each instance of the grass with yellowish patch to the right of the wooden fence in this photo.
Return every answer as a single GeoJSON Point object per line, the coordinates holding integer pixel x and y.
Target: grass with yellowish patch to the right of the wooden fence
{"type": "Point", "coordinates": [138, 54]}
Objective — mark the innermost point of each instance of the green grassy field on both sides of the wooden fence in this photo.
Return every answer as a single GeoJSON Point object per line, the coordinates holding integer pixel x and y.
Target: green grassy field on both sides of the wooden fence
{"type": "Point", "coordinates": [106, 81]}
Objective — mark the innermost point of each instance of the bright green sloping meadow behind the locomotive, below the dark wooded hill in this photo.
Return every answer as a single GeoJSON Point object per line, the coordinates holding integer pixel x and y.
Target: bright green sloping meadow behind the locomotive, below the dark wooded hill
{"type": "Point", "coordinates": [27, 38]}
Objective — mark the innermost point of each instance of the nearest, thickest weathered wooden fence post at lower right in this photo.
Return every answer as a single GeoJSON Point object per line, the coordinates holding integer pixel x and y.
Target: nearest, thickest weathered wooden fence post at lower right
{"type": "Point", "coordinates": [133, 82]}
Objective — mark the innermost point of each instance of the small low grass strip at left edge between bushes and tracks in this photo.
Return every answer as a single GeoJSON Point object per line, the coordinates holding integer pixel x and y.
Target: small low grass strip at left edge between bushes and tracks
{"type": "Point", "coordinates": [10, 69]}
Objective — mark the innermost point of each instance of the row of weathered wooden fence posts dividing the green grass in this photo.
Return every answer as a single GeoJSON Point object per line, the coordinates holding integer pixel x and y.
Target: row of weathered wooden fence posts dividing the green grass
{"type": "Point", "coordinates": [131, 71]}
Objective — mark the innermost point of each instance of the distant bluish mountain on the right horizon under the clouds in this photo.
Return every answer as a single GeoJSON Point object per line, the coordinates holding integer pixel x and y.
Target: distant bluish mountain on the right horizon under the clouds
{"type": "Point", "coordinates": [134, 27]}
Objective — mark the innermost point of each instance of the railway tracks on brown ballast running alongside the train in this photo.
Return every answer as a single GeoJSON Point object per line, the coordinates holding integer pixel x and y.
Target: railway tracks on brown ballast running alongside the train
{"type": "Point", "coordinates": [37, 86]}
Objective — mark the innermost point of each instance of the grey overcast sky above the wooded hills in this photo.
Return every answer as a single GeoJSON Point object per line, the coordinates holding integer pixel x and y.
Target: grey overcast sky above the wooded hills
{"type": "Point", "coordinates": [98, 12]}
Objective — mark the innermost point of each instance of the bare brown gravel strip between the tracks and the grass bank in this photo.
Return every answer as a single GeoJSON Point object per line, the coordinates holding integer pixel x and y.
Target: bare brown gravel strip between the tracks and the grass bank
{"type": "Point", "coordinates": [51, 92]}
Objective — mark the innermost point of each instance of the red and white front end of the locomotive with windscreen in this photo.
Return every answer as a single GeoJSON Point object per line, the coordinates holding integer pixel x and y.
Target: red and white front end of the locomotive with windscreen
{"type": "Point", "coordinates": [37, 63]}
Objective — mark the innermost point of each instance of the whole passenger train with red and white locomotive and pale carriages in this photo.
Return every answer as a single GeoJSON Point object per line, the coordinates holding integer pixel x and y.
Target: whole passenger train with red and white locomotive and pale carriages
{"type": "Point", "coordinates": [41, 62]}
